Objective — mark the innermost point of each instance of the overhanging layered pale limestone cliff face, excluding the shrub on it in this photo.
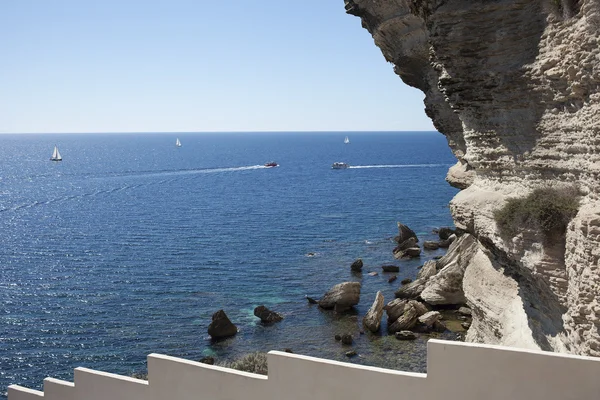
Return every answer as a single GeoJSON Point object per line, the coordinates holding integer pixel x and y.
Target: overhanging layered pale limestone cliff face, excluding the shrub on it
{"type": "Point", "coordinates": [514, 85]}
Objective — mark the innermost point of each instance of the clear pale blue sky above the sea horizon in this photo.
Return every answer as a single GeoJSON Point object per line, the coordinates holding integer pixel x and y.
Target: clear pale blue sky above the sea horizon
{"type": "Point", "coordinates": [195, 66]}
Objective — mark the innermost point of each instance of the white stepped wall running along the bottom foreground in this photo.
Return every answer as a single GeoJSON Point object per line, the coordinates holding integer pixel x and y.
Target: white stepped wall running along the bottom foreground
{"type": "Point", "coordinates": [456, 370]}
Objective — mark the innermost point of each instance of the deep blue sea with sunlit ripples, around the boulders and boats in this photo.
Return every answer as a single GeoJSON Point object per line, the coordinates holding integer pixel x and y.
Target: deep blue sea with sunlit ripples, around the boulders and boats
{"type": "Point", "coordinates": [130, 244]}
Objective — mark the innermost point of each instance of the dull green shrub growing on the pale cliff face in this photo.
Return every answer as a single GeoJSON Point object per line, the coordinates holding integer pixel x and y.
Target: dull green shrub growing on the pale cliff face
{"type": "Point", "coordinates": [548, 210]}
